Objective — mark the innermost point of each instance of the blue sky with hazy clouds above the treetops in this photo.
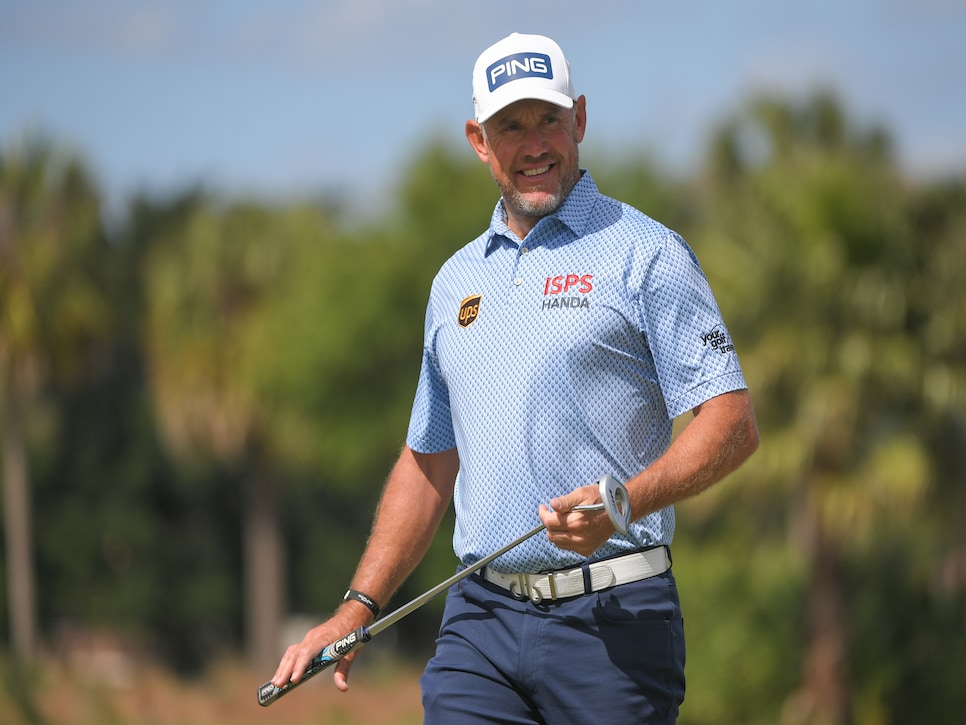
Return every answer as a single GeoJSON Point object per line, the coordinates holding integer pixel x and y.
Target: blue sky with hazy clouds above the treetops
{"type": "Point", "coordinates": [295, 97]}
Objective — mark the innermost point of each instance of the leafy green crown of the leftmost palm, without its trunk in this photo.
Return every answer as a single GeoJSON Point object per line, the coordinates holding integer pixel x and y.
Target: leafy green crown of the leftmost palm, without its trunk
{"type": "Point", "coordinates": [53, 307]}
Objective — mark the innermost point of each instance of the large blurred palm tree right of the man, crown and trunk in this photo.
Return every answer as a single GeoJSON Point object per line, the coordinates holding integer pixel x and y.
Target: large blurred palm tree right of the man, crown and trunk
{"type": "Point", "coordinates": [808, 213]}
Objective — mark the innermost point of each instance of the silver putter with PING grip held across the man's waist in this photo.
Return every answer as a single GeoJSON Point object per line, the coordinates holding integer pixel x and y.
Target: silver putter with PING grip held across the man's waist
{"type": "Point", "coordinates": [615, 502]}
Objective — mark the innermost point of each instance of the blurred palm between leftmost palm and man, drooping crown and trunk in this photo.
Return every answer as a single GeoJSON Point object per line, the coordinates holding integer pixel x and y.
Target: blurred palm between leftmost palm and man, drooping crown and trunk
{"type": "Point", "coordinates": [209, 285]}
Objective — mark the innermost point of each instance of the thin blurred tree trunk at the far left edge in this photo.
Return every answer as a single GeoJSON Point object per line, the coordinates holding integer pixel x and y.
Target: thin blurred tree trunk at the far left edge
{"type": "Point", "coordinates": [16, 510]}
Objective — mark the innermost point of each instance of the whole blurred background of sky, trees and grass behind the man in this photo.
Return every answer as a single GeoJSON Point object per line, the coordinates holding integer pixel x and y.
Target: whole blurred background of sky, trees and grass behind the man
{"type": "Point", "coordinates": [218, 226]}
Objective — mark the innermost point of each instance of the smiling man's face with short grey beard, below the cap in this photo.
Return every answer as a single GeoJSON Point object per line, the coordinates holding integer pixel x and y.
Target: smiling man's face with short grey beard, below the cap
{"type": "Point", "coordinates": [531, 149]}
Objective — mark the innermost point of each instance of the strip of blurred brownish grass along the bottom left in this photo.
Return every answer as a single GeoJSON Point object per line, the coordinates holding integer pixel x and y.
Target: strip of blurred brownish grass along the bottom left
{"type": "Point", "coordinates": [53, 693]}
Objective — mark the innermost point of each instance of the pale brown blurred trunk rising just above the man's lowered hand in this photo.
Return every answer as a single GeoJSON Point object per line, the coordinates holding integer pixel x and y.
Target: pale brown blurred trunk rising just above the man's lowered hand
{"type": "Point", "coordinates": [264, 573]}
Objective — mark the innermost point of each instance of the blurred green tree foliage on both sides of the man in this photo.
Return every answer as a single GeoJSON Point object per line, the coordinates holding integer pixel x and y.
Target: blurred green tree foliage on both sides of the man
{"type": "Point", "coordinates": [215, 343]}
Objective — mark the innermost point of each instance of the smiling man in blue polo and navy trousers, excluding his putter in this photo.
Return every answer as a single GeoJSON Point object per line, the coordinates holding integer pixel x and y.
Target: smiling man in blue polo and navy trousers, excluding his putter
{"type": "Point", "coordinates": [559, 345]}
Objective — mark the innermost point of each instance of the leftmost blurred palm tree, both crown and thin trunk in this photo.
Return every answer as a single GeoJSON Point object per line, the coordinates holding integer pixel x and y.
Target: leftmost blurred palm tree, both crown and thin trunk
{"type": "Point", "coordinates": [52, 310]}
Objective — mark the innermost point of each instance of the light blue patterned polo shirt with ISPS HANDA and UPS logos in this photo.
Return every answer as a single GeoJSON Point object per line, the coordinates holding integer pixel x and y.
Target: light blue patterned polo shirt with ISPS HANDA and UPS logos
{"type": "Point", "coordinates": [553, 360]}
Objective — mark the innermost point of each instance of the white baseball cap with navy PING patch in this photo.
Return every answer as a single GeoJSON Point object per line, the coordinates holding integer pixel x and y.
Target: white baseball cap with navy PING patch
{"type": "Point", "coordinates": [521, 67]}
